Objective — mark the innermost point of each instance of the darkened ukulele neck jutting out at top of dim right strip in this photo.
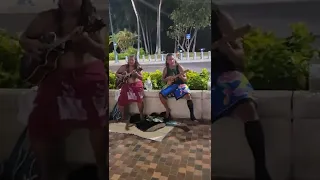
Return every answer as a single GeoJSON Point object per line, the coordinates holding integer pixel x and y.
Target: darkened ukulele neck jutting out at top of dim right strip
{"type": "Point", "coordinates": [240, 32]}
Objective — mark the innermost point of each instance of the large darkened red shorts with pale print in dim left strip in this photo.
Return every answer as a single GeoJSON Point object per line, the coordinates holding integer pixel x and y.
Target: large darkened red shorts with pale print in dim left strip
{"type": "Point", "coordinates": [70, 99]}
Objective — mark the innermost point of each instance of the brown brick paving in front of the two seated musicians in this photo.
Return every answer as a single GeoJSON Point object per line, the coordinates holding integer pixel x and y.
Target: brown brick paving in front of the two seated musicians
{"type": "Point", "coordinates": [180, 156]}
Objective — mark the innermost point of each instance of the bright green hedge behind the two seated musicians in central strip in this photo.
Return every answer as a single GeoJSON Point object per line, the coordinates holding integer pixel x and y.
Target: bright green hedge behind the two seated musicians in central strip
{"type": "Point", "coordinates": [196, 81]}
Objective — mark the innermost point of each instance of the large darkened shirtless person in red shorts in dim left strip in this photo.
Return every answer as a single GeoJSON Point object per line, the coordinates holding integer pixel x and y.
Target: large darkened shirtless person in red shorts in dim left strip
{"type": "Point", "coordinates": [74, 95]}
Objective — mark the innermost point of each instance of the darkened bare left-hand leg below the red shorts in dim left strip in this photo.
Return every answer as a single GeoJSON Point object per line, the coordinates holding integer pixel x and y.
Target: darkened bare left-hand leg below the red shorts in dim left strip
{"type": "Point", "coordinates": [50, 155]}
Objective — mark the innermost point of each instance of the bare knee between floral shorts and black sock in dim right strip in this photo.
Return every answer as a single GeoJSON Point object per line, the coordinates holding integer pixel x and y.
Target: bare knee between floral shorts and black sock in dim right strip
{"type": "Point", "coordinates": [246, 112]}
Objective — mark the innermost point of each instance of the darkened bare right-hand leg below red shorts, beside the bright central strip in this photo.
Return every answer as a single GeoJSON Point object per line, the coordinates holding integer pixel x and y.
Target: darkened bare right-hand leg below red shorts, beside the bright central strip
{"type": "Point", "coordinates": [98, 139]}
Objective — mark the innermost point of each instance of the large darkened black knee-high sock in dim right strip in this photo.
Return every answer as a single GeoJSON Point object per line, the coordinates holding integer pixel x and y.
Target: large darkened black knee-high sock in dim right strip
{"type": "Point", "coordinates": [255, 137]}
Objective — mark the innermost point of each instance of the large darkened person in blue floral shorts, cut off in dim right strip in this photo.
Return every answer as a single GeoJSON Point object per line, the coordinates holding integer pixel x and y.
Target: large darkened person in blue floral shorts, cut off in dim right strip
{"type": "Point", "coordinates": [231, 89]}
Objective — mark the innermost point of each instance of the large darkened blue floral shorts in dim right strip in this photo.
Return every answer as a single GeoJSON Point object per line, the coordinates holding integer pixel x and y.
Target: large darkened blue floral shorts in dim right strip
{"type": "Point", "coordinates": [229, 90]}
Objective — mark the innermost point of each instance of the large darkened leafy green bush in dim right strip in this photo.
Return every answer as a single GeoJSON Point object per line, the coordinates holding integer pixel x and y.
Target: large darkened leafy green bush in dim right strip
{"type": "Point", "coordinates": [279, 63]}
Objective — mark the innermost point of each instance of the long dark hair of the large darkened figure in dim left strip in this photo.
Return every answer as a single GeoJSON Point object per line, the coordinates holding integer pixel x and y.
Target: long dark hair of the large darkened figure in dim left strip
{"type": "Point", "coordinates": [88, 15]}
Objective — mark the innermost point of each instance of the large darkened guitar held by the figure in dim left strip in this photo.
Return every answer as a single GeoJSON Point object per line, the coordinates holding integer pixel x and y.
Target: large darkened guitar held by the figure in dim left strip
{"type": "Point", "coordinates": [33, 70]}
